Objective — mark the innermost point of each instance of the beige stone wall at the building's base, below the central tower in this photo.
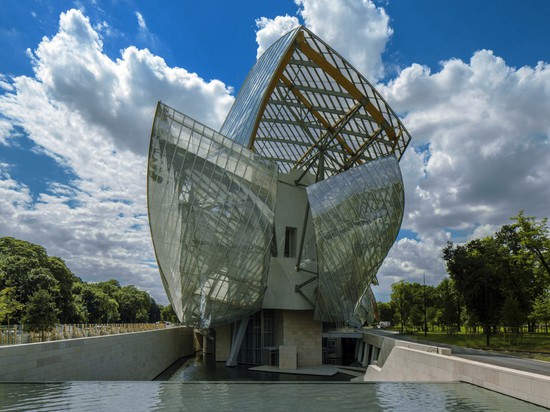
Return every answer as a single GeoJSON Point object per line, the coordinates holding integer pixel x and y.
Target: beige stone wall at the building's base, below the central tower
{"type": "Point", "coordinates": [300, 330]}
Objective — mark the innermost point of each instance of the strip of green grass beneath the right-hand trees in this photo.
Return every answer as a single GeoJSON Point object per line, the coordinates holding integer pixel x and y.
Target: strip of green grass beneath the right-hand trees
{"type": "Point", "coordinates": [531, 345]}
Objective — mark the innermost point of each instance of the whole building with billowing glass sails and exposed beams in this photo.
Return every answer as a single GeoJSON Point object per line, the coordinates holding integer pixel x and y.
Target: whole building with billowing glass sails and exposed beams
{"type": "Point", "coordinates": [272, 230]}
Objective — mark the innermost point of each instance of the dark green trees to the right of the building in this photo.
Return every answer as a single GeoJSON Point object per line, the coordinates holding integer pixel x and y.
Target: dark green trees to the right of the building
{"type": "Point", "coordinates": [501, 280]}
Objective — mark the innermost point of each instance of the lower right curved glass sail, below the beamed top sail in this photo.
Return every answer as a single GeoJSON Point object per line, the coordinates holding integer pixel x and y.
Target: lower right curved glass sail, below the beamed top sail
{"type": "Point", "coordinates": [356, 217]}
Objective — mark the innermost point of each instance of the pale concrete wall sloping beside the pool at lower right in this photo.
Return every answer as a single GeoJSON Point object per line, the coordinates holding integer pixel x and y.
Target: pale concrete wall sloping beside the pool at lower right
{"type": "Point", "coordinates": [403, 362]}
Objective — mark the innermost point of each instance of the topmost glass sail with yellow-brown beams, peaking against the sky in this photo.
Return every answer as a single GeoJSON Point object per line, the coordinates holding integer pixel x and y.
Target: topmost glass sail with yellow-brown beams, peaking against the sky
{"type": "Point", "coordinates": [300, 96]}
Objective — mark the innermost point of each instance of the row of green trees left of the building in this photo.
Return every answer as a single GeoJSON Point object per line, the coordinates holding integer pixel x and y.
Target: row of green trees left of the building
{"type": "Point", "coordinates": [39, 291]}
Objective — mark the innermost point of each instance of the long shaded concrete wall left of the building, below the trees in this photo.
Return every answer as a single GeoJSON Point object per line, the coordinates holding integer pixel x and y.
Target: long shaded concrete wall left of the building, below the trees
{"type": "Point", "coordinates": [128, 356]}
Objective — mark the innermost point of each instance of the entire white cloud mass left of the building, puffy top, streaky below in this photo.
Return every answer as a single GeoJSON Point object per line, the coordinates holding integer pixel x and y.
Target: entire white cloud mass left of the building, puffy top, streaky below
{"type": "Point", "coordinates": [93, 115]}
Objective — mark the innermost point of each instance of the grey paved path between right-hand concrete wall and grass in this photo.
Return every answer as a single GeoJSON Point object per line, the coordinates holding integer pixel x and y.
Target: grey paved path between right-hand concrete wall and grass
{"type": "Point", "coordinates": [493, 358]}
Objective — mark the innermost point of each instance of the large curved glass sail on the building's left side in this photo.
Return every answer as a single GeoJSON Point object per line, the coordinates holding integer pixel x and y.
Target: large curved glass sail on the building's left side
{"type": "Point", "coordinates": [210, 204]}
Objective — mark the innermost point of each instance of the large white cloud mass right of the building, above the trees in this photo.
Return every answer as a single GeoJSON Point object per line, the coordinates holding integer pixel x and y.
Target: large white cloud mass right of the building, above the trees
{"type": "Point", "coordinates": [481, 135]}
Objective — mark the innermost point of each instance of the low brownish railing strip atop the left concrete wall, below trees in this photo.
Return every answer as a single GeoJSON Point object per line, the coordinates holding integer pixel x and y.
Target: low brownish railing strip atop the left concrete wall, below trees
{"type": "Point", "coordinates": [14, 335]}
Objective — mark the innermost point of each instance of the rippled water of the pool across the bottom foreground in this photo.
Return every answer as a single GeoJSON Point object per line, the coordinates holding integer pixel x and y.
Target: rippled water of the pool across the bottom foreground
{"type": "Point", "coordinates": [253, 396]}
